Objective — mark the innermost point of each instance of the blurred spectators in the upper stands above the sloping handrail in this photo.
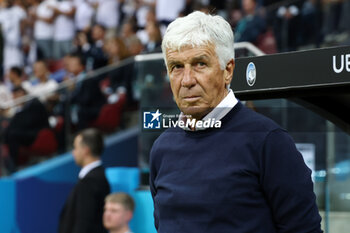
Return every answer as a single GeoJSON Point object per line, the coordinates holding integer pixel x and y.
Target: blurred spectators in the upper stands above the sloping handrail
{"type": "Point", "coordinates": [107, 31]}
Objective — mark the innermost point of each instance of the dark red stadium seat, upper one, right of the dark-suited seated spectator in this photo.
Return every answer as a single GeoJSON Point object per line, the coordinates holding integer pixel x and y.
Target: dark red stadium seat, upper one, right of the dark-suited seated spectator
{"type": "Point", "coordinates": [110, 115]}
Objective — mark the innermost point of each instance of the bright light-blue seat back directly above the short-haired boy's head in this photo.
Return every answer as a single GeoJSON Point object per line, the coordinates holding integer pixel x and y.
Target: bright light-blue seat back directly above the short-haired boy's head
{"type": "Point", "coordinates": [123, 179]}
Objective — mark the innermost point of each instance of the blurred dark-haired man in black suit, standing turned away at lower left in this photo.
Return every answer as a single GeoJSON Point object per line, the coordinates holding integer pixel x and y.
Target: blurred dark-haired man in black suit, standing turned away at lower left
{"type": "Point", "coordinates": [83, 210]}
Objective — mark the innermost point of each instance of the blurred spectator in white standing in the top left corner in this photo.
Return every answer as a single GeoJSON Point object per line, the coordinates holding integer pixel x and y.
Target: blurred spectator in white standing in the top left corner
{"type": "Point", "coordinates": [12, 20]}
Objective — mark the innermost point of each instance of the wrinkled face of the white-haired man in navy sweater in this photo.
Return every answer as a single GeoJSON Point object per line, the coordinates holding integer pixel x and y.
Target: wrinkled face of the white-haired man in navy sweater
{"type": "Point", "coordinates": [197, 82]}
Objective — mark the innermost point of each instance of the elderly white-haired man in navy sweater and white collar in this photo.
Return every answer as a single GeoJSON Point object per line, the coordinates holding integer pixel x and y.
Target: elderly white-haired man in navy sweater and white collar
{"type": "Point", "coordinates": [247, 175]}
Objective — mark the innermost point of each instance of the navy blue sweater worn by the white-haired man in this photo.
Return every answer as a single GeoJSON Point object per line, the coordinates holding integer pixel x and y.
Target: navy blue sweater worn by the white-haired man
{"type": "Point", "coordinates": [245, 177]}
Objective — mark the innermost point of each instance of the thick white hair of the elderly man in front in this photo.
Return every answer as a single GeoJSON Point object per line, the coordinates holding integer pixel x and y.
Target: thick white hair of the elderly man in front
{"type": "Point", "coordinates": [198, 29]}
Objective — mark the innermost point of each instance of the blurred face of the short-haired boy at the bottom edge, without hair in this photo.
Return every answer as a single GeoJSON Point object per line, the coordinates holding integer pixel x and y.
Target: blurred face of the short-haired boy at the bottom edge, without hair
{"type": "Point", "coordinates": [115, 216]}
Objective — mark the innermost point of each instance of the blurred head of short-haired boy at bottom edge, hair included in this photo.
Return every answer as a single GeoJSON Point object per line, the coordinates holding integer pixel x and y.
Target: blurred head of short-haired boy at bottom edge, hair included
{"type": "Point", "coordinates": [118, 212]}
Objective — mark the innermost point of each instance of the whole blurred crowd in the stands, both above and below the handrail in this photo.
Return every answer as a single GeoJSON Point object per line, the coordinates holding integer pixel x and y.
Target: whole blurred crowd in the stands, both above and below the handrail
{"type": "Point", "coordinates": [48, 42]}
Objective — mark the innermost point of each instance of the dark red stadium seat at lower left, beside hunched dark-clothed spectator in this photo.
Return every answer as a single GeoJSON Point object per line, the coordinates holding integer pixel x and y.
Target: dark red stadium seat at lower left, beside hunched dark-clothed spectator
{"type": "Point", "coordinates": [45, 144]}
